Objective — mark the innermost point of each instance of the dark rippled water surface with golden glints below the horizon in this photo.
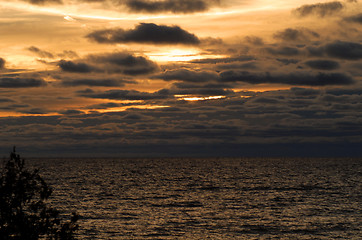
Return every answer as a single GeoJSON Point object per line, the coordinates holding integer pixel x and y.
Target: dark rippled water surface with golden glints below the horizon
{"type": "Point", "coordinates": [219, 198]}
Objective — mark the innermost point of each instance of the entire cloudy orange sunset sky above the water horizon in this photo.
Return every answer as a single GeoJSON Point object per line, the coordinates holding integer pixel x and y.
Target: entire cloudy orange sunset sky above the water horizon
{"type": "Point", "coordinates": [170, 78]}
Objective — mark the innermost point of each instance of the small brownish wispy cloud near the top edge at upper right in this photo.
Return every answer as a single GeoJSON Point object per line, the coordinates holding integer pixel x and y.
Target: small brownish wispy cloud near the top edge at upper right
{"type": "Point", "coordinates": [320, 9]}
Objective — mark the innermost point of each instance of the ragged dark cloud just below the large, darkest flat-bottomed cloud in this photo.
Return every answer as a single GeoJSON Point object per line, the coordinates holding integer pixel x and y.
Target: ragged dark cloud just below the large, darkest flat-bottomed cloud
{"type": "Point", "coordinates": [125, 63]}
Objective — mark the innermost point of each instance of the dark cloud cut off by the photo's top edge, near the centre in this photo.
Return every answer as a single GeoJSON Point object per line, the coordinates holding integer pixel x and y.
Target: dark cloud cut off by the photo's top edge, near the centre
{"type": "Point", "coordinates": [174, 6]}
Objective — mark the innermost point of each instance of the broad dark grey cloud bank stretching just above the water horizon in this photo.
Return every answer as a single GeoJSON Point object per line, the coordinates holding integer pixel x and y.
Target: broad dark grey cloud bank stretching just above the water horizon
{"type": "Point", "coordinates": [299, 117]}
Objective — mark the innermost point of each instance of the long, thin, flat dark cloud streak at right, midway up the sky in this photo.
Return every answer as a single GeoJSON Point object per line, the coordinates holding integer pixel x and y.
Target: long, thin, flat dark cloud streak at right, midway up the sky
{"type": "Point", "coordinates": [297, 78]}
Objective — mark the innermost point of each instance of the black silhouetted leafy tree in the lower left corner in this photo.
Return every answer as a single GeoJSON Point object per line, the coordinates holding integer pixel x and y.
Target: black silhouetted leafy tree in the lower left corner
{"type": "Point", "coordinates": [24, 213]}
